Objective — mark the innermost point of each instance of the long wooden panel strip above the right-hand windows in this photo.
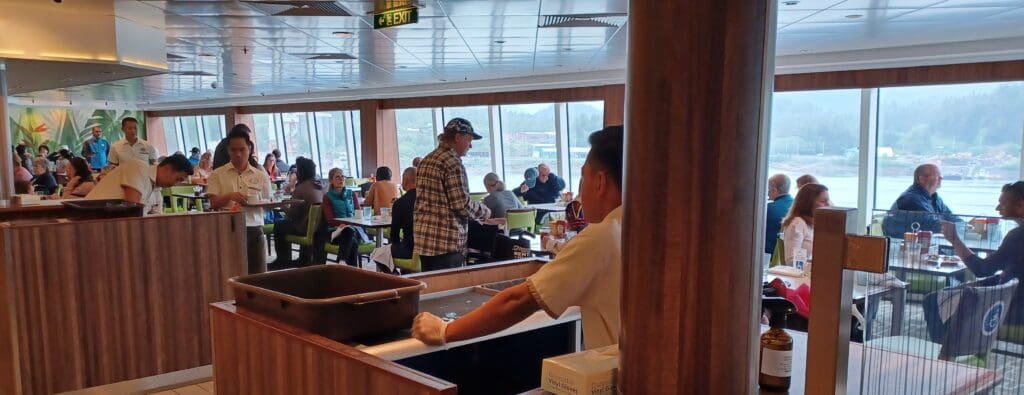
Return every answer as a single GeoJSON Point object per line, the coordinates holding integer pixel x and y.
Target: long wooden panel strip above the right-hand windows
{"type": "Point", "coordinates": [925, 75]}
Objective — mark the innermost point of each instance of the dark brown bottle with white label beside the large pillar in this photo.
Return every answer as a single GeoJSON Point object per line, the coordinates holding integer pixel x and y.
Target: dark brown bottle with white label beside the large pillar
{"type": "Point", "coordinates": [776, 366]}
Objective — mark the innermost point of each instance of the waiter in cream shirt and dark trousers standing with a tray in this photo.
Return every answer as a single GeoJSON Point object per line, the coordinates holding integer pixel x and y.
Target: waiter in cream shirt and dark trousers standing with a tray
{"type": "Point", "coordinates": [239, 182]}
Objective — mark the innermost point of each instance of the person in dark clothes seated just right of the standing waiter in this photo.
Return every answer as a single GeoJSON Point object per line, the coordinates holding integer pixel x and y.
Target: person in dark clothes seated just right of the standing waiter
{"type": "Point", "coordinates": [310, 192]}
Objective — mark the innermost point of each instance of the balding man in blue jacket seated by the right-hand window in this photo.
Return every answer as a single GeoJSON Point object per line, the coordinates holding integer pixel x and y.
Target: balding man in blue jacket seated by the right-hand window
{"type": "Point", "coordinates": [921, 204]}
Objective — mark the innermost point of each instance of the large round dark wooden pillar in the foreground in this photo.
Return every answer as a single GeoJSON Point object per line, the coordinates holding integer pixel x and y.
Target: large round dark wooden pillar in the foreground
{"type": "Point", "coordinates": [699, 73]}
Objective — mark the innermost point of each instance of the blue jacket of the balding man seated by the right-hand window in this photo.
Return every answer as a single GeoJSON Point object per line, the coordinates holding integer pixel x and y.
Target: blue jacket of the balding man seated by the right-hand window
{"type": "Point", "coordinates": [916, 205]}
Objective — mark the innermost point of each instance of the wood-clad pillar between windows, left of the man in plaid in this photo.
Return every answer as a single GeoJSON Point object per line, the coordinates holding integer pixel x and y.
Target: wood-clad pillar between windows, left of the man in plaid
{"type": "Point", "coordinates": [380, 142]}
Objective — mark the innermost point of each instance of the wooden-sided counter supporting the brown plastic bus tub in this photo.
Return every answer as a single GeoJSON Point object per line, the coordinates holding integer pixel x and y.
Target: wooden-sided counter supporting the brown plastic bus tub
{"type": "Point", "coordinates": [258, 355]}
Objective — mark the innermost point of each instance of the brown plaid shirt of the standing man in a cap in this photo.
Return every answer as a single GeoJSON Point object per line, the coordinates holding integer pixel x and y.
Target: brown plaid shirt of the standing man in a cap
{"type": "Point", "coordinates": [444, 207]}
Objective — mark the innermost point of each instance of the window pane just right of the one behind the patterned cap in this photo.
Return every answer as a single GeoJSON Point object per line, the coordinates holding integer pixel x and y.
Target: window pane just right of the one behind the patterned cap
{"type": "Point", "coordinates": [528, 140]}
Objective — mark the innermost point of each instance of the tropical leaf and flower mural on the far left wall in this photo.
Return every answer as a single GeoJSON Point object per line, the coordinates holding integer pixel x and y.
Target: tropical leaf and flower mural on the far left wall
{"type": "Point", "coordinates": [67, 126]}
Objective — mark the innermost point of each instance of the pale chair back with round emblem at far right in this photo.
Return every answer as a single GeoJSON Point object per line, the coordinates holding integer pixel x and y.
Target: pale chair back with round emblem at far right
{"type": "Point", "coordinates": [975, 325]}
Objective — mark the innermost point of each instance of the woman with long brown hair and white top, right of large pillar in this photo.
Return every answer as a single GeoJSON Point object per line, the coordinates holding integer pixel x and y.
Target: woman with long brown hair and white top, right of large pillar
{"type": "Point", "coordinates": [799, 224]}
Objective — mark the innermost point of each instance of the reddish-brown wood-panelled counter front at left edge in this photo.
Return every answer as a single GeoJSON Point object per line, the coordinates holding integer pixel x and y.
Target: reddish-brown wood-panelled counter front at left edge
{"type": "Point", "coordinates": [88, 303]}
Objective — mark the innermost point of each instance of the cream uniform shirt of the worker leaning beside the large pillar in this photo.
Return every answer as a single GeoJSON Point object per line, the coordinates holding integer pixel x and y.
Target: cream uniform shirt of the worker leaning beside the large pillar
{"type": "Point", "coordinates": [588, 274]}
